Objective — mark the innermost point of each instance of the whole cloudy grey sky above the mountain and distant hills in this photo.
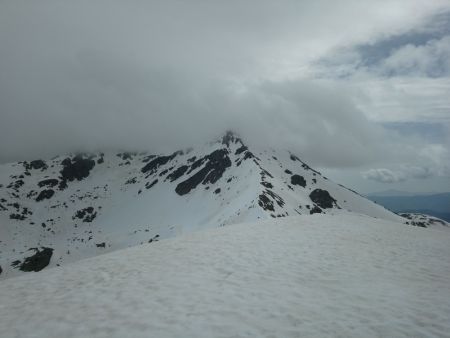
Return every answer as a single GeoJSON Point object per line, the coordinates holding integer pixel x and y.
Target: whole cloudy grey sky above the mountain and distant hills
{"type": "Point", "coordinates": [357, 88]}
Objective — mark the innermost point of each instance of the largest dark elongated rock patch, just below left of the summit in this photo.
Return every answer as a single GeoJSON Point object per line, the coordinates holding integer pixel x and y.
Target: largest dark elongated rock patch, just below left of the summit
{"type": "Point", "coordinates": [216, 164]}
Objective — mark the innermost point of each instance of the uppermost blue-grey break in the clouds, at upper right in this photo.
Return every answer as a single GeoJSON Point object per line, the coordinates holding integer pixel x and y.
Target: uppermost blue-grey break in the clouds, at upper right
{"type": "Point", "coordinates": [431, 40]}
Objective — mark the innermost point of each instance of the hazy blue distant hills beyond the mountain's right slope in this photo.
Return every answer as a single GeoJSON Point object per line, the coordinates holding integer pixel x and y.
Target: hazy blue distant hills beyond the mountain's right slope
{"type": "Point", "coordinates": [437, 205]}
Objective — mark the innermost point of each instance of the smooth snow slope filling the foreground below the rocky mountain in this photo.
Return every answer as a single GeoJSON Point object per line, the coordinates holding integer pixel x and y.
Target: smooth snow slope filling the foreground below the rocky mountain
{"type": "Point", "coordinates": [310, 276]}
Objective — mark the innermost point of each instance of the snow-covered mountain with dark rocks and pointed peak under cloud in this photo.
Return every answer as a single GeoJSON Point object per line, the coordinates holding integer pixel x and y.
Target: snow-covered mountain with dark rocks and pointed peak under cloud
{"type": "Point", "coordinates": [71, 207]}
